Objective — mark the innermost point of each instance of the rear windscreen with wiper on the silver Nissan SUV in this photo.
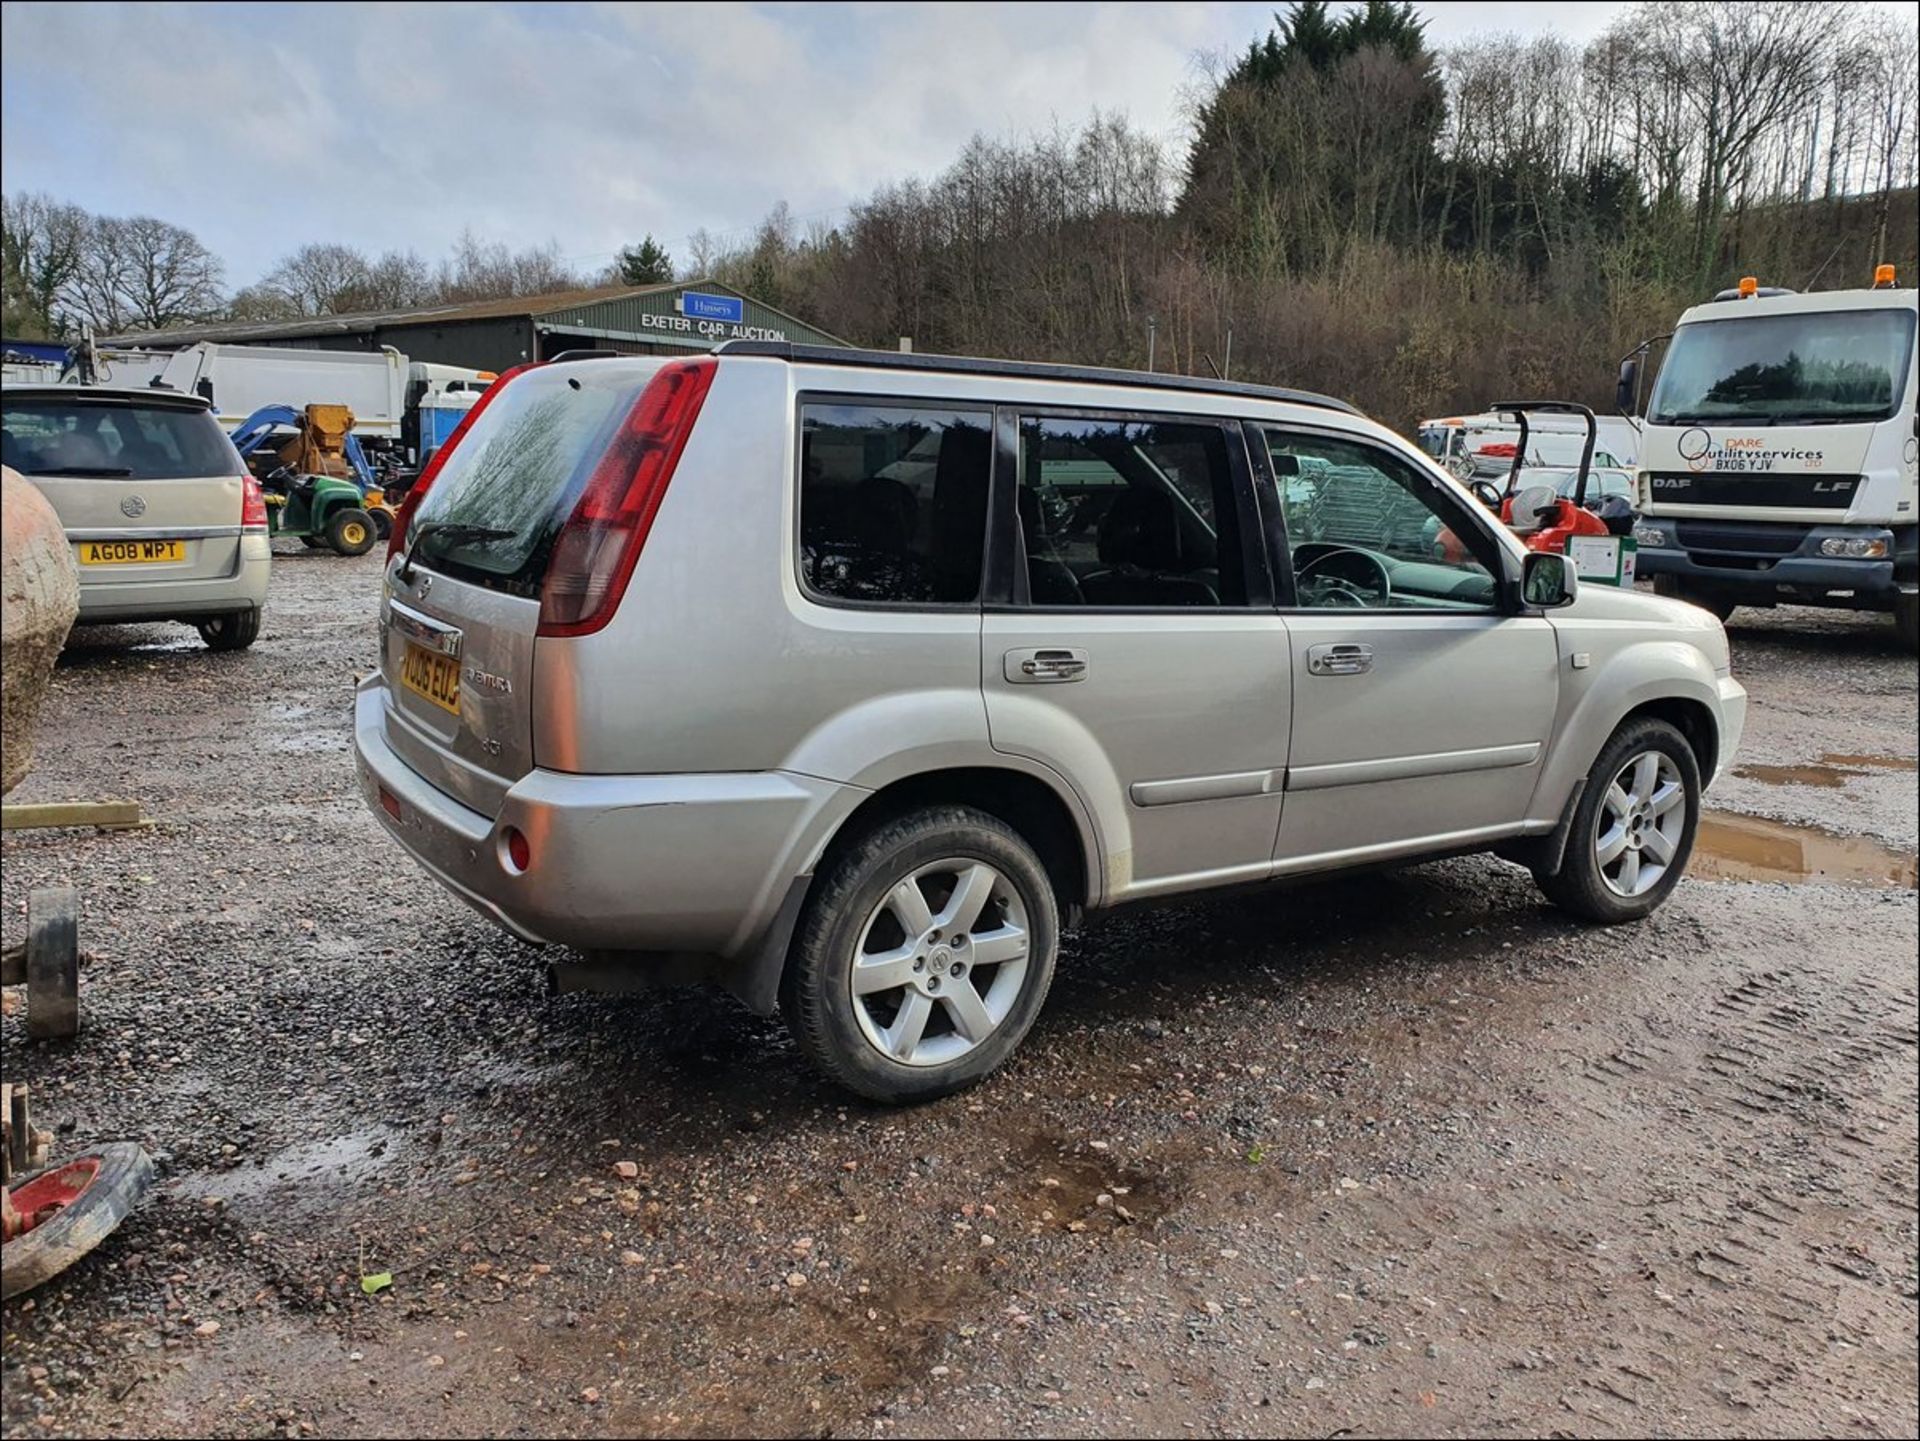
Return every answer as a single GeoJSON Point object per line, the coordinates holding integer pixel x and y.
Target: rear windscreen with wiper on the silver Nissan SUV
{"type": "Point", "coordinates": [519, 471]}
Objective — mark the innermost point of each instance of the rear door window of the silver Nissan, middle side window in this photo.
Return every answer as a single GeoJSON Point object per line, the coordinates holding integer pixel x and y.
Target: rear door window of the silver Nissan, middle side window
{"type": "Point", "coordinates": [1128, 513]}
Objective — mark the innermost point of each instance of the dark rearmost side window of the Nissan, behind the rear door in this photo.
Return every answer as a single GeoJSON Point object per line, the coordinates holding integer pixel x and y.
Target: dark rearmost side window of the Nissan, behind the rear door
{"type": "Point", "coordinates": [894, 502]}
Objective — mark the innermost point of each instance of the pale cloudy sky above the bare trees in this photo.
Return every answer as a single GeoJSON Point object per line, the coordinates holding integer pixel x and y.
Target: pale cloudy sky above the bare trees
{"type": "Point", "coordinates": [264, 128]}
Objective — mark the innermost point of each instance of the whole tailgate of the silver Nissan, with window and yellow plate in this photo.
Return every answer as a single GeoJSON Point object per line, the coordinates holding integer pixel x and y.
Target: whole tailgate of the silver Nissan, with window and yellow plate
{"type": "Point", "coordinates": [464, 596]}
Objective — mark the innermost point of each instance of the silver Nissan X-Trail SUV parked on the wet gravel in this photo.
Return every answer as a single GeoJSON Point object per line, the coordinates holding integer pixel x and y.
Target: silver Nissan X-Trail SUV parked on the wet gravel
{"type": "Point", "coordinates": [848, 678]}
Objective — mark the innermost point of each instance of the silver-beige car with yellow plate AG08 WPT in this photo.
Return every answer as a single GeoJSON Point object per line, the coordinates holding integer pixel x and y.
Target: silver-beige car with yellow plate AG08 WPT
{"type": "Point", "coordinates": [164, 519]}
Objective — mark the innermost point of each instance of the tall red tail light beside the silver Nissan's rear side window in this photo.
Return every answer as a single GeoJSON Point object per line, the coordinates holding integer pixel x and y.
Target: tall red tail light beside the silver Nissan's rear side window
{"type": "Point", "coordinates": [596, 552]}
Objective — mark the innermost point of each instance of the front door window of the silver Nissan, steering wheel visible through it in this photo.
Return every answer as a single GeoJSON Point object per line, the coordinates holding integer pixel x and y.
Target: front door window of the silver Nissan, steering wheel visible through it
{"type": "Point", "coordinates": [1368, 531]}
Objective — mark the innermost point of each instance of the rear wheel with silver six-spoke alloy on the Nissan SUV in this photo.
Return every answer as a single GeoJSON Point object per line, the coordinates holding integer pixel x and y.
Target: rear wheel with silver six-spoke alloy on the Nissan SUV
{"type": "Point", "coordinates": [923, 957]}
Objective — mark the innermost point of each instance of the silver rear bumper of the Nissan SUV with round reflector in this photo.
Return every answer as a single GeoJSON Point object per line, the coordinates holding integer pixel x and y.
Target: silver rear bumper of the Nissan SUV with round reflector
{"type": "Point", "coordinates": [619, 862]}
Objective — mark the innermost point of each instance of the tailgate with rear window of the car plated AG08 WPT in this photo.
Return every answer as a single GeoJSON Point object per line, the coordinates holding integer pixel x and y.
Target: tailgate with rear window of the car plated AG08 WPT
{"type": "Point", "coordinates": [147, 488]}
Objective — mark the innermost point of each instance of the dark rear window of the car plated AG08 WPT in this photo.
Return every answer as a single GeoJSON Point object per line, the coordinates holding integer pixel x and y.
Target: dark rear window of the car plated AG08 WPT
{"type": "Point", "coordinates": [114, 440]}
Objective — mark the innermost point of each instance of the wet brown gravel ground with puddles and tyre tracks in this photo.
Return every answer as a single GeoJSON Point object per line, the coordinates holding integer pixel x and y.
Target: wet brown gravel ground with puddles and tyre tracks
{"type": "Point", "coordinates": [1381, 1156]}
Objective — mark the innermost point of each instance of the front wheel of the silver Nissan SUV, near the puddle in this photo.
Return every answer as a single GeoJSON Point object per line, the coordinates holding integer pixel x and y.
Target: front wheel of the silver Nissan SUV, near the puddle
{"type": "Point", "coordinates": [1633, 832]}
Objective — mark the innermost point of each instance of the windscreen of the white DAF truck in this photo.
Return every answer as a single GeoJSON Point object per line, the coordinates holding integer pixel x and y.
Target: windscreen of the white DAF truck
{"type": "Point", "coordinates": [1787, 369]}
